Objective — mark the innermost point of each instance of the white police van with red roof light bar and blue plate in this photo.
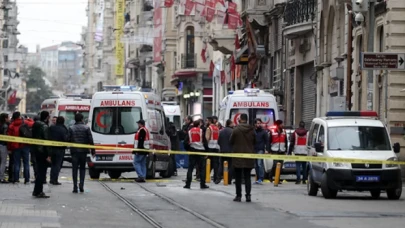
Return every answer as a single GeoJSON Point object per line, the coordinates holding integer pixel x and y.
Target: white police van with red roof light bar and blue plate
{"type": "Point", "coordinates": [356, 135]}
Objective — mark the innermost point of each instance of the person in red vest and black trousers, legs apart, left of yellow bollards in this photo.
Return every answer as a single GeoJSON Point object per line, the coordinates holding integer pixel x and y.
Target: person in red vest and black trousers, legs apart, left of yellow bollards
{"type": "Point", "coordinates": [196, 141]}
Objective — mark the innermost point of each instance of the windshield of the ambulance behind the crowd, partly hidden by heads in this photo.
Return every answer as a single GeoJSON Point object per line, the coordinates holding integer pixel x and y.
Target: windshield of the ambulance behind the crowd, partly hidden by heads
{"type": "Point", "coordinates": [266, 115]}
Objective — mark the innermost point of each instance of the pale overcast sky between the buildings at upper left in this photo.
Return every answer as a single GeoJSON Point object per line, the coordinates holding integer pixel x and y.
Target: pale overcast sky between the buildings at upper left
{"type": "Point", "coordinates": [49, 22]}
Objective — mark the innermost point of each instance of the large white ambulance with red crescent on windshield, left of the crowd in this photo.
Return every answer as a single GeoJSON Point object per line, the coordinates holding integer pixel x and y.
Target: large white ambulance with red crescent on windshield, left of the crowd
{"type": "Point", "coordinates": [113, 121]}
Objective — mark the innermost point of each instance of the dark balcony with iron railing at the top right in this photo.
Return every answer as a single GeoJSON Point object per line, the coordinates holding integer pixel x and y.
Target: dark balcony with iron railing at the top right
{"type": "Point", "coordinates": [299, 17]}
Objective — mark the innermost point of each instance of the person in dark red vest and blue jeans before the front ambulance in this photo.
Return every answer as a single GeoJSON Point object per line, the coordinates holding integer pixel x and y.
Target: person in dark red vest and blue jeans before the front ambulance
{"type": "Point", "coordinates": [141, 142]}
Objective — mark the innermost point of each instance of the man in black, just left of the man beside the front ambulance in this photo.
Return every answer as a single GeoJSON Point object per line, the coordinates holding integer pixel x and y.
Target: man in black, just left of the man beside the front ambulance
{"type": "Point", "coordinates": [57, 132]}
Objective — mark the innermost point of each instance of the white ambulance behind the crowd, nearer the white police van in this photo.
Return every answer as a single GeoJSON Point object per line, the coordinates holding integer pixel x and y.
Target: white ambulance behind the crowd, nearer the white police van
{"type": "Point", "coordinates": [251, 101]}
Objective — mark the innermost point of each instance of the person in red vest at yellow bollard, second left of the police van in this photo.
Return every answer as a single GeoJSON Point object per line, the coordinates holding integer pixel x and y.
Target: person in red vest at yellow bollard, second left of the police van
{"type": "Point", "coordinates": [278, 145]}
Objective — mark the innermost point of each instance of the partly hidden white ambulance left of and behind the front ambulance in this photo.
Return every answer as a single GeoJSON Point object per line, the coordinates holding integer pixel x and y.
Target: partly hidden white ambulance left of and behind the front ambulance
{"type": "Point", "coordinates": [67, 107]}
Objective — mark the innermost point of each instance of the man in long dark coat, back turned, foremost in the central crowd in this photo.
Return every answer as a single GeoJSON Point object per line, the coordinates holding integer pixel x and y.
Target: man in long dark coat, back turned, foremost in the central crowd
{"type": "Point", "coordinates": [243, 140]}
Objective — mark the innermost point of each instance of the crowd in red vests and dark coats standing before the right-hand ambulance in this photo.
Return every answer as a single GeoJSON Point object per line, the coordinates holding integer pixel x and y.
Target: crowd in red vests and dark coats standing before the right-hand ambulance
{"type": "Point", "coordinates": [242, 138]}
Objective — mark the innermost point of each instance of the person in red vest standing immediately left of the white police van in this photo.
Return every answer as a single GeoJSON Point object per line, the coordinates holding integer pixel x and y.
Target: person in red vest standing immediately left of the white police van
{"type": "Point", "coordinates": [298, 144]}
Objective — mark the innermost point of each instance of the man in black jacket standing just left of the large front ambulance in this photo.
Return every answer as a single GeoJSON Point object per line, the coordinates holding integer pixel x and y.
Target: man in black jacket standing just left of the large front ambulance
{"type": "Point", "coordinates": [79, 133]}
